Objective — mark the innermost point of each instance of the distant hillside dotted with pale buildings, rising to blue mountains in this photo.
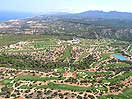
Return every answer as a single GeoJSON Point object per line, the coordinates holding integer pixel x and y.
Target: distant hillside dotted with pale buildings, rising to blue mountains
{"type": "Point", "coordinates": [90, 24]}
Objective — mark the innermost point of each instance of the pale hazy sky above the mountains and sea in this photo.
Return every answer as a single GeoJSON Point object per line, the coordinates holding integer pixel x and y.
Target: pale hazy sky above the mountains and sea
{"type": "Point", "coordinates": [65, 5]}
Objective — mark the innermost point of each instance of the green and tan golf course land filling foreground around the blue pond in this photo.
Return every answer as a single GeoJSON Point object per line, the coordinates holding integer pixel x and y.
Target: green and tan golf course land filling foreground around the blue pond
{"type": "Point", "coordinates": [85, 64]}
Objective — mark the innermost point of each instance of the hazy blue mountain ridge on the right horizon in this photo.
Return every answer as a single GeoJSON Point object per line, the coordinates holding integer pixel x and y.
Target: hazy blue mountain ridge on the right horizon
{"type": "Point", "coordinates": [105, 15]}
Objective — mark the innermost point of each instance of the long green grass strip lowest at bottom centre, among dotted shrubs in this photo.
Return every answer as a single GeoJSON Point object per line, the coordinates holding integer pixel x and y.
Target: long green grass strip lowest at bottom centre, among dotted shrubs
{"type": "Point", "coordinates": [52, 85]}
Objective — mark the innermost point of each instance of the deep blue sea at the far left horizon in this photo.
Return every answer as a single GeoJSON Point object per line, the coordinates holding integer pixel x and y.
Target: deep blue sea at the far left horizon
{"type": "Point", "coordinates": [10, 15]}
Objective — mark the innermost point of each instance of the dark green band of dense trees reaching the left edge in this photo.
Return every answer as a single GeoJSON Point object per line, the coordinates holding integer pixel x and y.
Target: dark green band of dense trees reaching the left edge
{"type": "Point", "coordinates": [27, 62]}
